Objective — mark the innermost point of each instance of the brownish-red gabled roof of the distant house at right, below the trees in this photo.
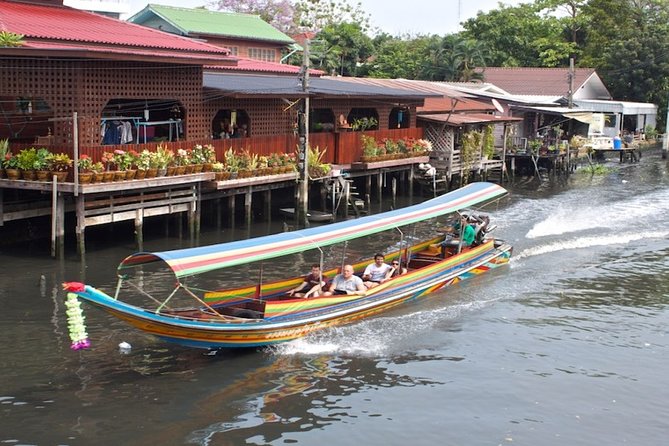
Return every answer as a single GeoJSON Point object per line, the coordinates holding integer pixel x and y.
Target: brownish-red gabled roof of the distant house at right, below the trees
{"type": "Point", "coordinates": [536, 81]}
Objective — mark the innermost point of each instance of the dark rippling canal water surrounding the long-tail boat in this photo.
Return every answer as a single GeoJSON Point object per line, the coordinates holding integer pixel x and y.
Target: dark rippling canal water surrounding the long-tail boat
{"type": "Point", "coordinates": [567, 345]}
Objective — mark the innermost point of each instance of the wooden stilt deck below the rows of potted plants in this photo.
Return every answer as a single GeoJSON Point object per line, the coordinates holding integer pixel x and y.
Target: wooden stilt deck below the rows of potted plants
{"type": "Point", "coordinates": [134, 200]}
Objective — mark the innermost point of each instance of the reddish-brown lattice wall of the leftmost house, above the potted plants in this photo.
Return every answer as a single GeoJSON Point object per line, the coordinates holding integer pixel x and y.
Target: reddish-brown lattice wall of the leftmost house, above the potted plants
{"type": "Point", "coordinates": [85, 87]}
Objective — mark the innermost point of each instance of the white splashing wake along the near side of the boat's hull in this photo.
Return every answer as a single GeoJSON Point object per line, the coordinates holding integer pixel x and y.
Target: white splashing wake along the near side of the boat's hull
{"type": "Point", "coordinates": [379, 336]}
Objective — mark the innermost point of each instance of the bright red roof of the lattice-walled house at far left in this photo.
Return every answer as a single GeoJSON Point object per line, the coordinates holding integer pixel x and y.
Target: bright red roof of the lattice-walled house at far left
{"type": "Point", "coordinates": [72, 27]}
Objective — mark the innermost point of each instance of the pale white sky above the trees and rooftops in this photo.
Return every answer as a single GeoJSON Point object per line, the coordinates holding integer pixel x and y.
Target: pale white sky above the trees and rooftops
{"type": "Point", "coordinates": [394, 16]}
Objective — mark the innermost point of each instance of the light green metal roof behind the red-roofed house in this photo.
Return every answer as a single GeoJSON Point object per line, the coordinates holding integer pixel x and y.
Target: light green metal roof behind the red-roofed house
{"type": "Point", "coordinates": [214, 23]}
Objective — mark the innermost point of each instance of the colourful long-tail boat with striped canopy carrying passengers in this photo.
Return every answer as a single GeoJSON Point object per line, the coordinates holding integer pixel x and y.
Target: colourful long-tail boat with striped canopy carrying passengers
{"type": "Point", "coordinates": [263, 313]}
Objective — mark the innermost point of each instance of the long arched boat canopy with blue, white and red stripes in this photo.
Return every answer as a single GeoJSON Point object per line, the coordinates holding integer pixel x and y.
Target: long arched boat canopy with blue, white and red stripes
{"type": "Point", "coordinates": [193, 261]}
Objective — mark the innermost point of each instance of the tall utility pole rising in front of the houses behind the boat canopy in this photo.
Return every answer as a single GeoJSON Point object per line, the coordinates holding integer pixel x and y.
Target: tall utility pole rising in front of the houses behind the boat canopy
{"type": "Point", "coordinates": [302, 204]}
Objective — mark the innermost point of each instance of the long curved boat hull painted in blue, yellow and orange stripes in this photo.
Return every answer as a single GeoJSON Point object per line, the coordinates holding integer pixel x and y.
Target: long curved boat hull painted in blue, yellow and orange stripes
{"type": "Point", "coordinates": [218, 333]}
